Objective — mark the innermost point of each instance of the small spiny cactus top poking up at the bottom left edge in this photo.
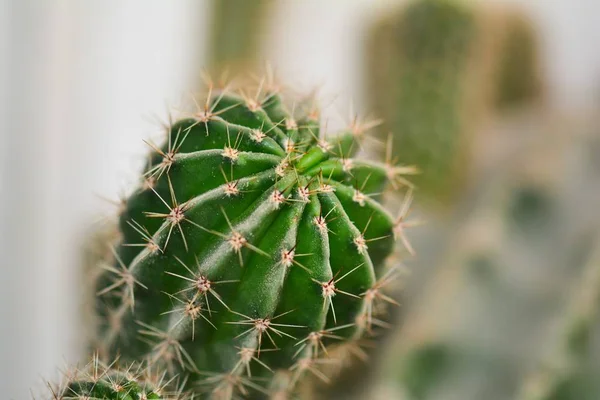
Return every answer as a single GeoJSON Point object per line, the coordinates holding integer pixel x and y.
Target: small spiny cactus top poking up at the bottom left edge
{"type": "Point", "coordinates": [102, 382]}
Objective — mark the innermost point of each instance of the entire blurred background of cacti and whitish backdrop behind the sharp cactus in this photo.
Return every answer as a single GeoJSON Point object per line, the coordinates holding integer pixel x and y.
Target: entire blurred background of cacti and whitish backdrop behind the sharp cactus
{"type": "Point", "coordinates": [496, 102]}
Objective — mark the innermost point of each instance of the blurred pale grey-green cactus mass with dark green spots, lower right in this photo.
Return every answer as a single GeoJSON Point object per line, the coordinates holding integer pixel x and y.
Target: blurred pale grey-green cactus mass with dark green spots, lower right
{"type": "Point", "coordinates": [517, 275]}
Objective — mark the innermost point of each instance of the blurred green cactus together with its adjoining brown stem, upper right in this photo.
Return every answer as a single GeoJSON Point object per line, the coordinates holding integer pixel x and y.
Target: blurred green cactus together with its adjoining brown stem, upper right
{"type": "Point", "coordinates": [436, 69]}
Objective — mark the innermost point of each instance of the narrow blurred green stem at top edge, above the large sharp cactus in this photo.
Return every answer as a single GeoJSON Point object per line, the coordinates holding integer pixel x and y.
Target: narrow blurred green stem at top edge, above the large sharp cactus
{"type": "Point", "coordinates": [236, 36]}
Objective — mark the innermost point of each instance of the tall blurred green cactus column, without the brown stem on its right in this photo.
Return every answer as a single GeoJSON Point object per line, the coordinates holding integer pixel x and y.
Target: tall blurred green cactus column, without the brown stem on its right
{"type": "Point", "coordinates": [417, 69]}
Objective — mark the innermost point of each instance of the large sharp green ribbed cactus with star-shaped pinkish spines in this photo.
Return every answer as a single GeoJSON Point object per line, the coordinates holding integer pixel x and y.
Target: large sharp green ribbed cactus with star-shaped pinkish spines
{"type": "Point", "coordinates": [252, 246]}
